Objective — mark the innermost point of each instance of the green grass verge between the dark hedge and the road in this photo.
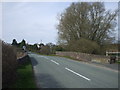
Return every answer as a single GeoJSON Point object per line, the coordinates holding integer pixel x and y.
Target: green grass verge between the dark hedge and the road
{"type": "Point", "coordinates": [25, 76]}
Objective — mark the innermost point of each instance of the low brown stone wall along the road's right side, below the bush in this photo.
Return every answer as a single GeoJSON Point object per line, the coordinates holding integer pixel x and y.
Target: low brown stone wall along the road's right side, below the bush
{"type": "Point", "coordinates": [84, 56]}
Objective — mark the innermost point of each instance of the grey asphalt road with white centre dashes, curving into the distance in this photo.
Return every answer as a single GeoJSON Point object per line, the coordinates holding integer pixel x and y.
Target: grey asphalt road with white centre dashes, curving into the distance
{"type": "Point", "coordinates": [60, 72]}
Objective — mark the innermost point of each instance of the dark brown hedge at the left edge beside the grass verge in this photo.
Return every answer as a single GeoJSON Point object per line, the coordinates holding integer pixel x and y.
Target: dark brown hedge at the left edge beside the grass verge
{"type": "Point", "coordinates": [9, 64]}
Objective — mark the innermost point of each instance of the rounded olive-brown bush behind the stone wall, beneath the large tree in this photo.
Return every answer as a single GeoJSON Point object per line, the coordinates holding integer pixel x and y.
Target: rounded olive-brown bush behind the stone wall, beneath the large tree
{"type": "Point", "coordinates": [84, 46]}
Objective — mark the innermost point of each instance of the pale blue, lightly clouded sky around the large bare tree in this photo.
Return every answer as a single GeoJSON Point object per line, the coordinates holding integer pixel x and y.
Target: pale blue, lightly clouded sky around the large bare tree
{"type": "Point", "coordinates": [34, 21]}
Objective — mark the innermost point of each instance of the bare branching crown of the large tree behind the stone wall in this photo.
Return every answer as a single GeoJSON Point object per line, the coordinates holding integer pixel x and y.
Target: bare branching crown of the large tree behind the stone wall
{"type": "Point", "coordinates": [86, 20]}
